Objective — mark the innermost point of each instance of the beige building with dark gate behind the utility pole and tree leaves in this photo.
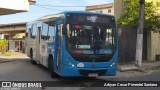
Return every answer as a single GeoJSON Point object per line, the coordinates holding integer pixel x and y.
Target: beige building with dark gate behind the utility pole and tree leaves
{"type": "Point", "coordinates": [127, 38]}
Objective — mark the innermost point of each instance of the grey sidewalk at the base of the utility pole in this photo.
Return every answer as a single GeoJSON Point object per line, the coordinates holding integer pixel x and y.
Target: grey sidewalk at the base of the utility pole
{"type": "Point", "coordinates": [130, 70]}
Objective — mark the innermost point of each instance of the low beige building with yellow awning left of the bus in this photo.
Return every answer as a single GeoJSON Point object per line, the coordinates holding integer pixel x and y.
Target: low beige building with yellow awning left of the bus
{"type": "Point", "coordinates": [14, 33]}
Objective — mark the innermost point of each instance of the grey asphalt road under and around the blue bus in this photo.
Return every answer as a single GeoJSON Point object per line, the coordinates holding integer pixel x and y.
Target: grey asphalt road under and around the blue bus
{"type": "Point", "coordinates": [23, 70]}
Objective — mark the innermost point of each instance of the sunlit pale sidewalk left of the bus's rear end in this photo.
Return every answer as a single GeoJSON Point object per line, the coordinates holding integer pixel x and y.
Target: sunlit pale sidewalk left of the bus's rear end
{"type": "Point", "coordinates": [15, 55]}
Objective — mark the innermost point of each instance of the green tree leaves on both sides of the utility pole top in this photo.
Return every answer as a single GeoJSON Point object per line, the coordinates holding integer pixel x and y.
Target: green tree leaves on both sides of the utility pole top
{"type": "Point", "coordinates": [152, 18]}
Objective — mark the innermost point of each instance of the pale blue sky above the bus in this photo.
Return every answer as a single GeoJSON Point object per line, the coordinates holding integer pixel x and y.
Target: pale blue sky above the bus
{"type": "Point", "coordinates": [43, 7]}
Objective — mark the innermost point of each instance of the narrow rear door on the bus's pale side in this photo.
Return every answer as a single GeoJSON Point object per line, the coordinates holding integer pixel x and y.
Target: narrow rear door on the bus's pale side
{"type": "Point", "coordinates": [38, 44]}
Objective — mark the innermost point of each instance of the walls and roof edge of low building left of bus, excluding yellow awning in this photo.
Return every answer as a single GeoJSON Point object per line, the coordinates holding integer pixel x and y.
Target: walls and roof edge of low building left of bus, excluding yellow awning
{"type": "Point", "coordinates": [12, 30]}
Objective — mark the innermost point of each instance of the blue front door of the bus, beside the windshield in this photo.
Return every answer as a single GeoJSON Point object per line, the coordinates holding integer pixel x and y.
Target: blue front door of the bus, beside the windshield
{"type": "Point", "coordinates": [58, 50]}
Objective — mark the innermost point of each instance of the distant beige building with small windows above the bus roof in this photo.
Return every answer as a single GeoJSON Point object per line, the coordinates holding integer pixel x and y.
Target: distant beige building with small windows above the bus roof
{"type": "Point", "coordinates": [105, 8]}
